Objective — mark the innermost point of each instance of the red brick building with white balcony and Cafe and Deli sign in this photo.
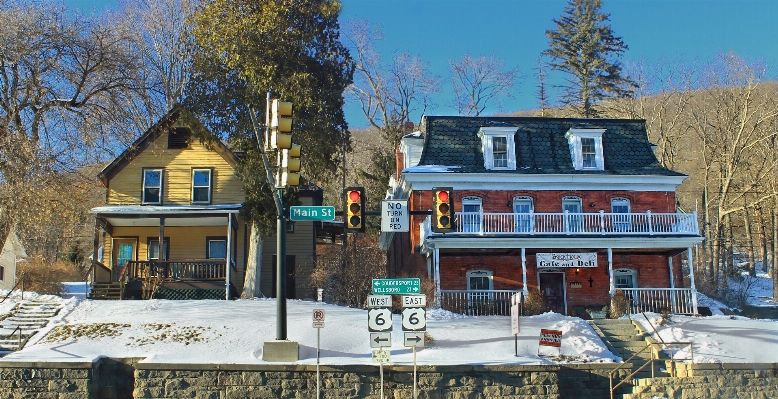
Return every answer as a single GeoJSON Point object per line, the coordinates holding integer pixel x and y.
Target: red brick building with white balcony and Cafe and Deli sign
{"type": "Point", "coordinates": [573, 208]}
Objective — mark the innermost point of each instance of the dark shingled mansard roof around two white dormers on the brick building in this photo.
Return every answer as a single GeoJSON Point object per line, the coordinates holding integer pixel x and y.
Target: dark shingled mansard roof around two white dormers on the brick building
{"type": "Point", "coordinates": [541, 146]}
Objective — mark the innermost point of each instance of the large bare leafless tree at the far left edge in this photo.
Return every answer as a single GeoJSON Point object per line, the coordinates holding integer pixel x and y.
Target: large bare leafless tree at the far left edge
{"type": "Point", "coordinates": [60, 75]}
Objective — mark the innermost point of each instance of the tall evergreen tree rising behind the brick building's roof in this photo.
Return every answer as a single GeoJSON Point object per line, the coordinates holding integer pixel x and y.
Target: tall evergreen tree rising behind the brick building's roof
{"type": "Point", "coordinates": [584, 46]}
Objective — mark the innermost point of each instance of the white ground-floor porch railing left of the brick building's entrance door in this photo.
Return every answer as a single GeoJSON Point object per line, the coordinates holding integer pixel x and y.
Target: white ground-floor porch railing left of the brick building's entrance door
{"type": "Point", "coordinates": [478, 302]}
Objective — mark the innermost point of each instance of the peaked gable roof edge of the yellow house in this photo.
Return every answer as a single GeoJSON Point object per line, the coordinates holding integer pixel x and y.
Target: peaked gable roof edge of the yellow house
{"type": "Point", "coordinates": [166, 122]}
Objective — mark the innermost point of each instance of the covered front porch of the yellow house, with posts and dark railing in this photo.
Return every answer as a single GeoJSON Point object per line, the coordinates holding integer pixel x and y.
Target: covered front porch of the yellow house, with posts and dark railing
{"type": "Point", "coordinates": [200, 248]}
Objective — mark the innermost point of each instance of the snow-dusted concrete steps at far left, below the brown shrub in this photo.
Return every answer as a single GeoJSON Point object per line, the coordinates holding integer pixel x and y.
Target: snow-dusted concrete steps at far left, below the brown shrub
{"type": "Point", "coordinates": [25, 320]}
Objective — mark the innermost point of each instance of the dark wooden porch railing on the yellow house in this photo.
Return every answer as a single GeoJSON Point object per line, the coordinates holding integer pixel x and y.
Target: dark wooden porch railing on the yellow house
{"type": "Point", "coordinates": [177, 270]}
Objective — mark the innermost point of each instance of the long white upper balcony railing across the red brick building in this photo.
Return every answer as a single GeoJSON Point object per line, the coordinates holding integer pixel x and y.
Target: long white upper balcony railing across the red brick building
{"type": "Point", "coordinates": [600, 223]}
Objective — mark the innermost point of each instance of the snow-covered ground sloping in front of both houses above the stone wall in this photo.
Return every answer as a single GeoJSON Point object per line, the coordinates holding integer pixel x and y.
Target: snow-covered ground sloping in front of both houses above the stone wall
{"type": "Point", "coordinates": [212, 331]}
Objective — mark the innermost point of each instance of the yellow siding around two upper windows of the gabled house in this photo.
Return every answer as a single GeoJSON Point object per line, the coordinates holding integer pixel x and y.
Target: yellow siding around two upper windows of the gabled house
{"type": "Point", "coordinates": [126, 187]}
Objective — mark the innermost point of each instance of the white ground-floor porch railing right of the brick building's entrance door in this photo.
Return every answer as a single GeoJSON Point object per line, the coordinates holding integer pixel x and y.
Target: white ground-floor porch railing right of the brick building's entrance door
{"type": "Point", "coordinates": [672, 300]}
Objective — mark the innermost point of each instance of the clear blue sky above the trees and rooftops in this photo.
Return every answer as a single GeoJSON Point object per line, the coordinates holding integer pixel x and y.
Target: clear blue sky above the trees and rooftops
{"type": "Point", "coordinates": [514, 30]}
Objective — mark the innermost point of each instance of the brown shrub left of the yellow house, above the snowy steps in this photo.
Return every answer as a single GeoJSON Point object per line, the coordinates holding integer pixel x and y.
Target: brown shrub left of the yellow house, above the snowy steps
{"type": "Point", "coordinates": [47, 277]}
